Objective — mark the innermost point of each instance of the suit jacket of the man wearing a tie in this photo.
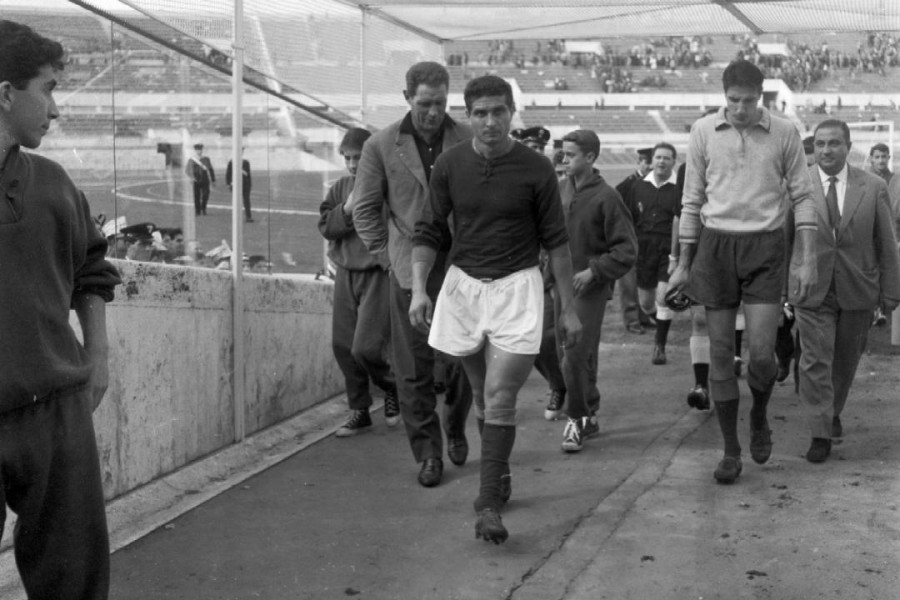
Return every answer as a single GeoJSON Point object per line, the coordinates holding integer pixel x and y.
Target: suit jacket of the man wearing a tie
{"type": "Point", "coordinates": [862, 259]}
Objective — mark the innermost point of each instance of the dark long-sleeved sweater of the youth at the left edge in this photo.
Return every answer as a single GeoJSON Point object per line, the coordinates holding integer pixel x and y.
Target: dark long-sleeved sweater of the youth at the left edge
{"type": "Point", "coordinates": [50, 251]}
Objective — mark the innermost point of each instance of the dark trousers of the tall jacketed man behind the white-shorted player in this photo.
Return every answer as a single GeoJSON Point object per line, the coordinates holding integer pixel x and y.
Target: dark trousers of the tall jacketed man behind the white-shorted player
{"type": "Point", "coordinates": [413, 366]}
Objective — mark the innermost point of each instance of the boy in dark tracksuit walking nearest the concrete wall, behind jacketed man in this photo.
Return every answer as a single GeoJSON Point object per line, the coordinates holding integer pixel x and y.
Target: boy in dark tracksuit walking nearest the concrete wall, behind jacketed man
{"type": "Point", "coordinates": [361, 324]}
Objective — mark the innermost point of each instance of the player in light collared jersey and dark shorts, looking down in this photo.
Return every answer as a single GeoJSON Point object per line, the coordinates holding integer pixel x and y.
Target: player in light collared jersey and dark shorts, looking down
{"type": "Point", "coordinates": [739, 254]}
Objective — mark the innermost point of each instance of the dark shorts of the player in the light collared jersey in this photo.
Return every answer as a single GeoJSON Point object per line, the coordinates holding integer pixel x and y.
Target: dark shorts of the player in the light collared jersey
{"type": "Point", "coordinates": [730, 267]}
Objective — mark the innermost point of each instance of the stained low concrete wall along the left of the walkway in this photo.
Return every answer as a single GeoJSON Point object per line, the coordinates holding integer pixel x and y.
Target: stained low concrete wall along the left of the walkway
{"type": "Point", "coordinates": [170, 398]}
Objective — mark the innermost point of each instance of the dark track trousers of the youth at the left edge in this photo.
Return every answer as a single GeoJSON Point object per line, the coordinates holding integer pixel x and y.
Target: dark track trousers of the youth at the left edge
{"type": "Point", "coordinates": [50, 477]}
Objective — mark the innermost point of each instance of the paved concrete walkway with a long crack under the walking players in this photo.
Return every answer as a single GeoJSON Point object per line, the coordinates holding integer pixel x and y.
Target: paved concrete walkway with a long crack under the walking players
{"type": "Point", "coordinates": [636, 514]}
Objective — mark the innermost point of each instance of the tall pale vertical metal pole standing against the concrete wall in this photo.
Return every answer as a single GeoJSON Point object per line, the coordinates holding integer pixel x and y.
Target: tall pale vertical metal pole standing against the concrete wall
{"type": "Point", "coordinates": [237, 186]}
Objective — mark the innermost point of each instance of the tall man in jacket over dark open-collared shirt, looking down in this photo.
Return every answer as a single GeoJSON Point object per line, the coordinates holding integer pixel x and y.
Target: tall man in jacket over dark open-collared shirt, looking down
{"type": "Point", "coordinates": [392, 179]}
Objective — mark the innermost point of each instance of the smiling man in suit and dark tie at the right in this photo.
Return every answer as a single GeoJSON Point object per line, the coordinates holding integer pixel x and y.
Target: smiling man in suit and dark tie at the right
{"type": "Point", "coordinates": [858, 271]}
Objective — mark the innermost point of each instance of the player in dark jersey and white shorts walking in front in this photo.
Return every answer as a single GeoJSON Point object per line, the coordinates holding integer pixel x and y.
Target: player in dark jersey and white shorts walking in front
{"type": "Point", "coordinates": [505, 204]}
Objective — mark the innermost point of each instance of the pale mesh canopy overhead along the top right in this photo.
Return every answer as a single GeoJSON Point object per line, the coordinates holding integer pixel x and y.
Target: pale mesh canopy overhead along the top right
{"type": "Point", "coordinates": [459, 20]}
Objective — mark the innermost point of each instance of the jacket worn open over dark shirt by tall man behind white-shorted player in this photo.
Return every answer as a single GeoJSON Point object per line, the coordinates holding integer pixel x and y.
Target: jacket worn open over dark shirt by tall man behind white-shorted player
{"type": "Point", "coordinates": [391, 172]}
